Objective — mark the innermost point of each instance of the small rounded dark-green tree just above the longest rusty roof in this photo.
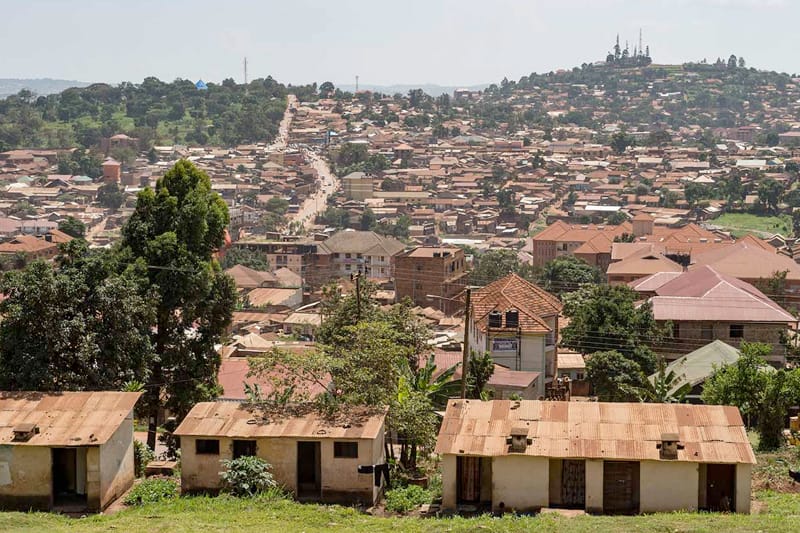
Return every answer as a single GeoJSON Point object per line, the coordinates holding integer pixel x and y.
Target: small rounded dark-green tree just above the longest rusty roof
{"type": "Point", "coordinates": [614, 377]}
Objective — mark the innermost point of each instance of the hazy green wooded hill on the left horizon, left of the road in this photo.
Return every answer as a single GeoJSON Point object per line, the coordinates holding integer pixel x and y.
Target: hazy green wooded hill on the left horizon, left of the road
{"type": "Point", "coordinates": [153, 111]}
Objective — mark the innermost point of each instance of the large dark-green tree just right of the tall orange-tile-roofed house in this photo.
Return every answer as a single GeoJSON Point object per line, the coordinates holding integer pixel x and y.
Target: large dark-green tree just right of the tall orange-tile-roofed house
{"type": "Point", "coordinates": [605, 317]}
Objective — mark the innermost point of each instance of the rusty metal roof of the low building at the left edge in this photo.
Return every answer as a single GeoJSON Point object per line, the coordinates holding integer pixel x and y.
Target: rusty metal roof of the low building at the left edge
{"type": "Point", "coordinates": [64, 418]}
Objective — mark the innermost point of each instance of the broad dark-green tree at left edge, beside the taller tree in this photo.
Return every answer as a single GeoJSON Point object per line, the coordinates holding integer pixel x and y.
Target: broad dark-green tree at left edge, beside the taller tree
{"type": "Point", "coordinates": [75, 326]}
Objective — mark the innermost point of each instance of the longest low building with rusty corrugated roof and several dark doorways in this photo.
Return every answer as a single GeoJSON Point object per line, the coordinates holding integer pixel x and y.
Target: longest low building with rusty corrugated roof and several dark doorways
{"type": "Point", "coordinates": [602, 457]}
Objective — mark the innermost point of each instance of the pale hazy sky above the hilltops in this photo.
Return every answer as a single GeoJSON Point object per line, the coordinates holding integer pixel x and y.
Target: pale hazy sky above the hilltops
{"type": "Point", "coordinates": [449, 42]}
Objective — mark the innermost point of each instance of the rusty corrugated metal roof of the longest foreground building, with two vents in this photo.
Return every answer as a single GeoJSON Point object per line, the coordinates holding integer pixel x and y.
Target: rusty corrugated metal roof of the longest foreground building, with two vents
{"type": "Point", "coordinates": [595, 430]}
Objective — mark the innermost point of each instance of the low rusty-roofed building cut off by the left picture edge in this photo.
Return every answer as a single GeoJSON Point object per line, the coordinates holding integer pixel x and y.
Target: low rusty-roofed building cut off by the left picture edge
{"type": "Point", "coordinates": [69, 451]}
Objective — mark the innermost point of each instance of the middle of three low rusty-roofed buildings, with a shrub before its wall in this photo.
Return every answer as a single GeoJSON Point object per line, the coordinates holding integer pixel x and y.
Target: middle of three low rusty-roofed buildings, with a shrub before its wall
{"type": "Point", "coordinates": [315, 458]}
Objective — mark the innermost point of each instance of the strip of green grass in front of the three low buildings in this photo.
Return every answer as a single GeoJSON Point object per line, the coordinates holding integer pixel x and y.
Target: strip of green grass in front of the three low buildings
{"type": "Point", "coordinates": [778, 512]}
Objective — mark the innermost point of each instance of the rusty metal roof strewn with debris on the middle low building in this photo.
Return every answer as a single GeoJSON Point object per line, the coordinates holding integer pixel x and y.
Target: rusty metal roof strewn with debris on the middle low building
{"type": "Point", "coordinates": [240, 420]}
